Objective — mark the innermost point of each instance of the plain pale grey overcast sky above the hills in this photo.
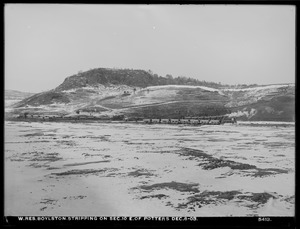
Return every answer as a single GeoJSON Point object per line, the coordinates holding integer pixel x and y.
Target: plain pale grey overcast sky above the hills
{"type": "Point", "coordinates": [231, 44]}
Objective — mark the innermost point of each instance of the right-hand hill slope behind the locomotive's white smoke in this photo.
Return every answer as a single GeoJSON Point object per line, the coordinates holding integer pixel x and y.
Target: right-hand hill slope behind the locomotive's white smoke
{"type": "Point", "coordinates": [269, 103]}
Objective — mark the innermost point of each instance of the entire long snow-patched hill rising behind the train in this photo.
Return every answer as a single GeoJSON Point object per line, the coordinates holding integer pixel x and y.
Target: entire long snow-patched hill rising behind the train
{"type": "Point", "coordinates": [138, 93]}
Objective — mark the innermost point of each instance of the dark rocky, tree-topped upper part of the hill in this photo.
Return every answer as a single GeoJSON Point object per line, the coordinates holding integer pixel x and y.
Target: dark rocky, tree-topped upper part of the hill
{"type": "Point", "coordinates": [97, 78]}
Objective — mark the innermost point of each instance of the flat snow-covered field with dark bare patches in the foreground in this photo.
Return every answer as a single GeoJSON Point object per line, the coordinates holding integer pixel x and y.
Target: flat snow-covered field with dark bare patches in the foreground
{"type": "Point", "coordinates": [128, 169]}
